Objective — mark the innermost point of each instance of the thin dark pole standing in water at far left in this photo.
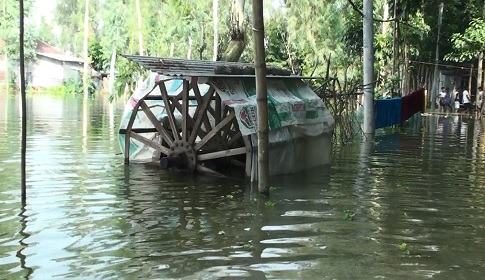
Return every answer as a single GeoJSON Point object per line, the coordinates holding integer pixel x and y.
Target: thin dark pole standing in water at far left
{"type": "Point", "coordinates": [23, 149]}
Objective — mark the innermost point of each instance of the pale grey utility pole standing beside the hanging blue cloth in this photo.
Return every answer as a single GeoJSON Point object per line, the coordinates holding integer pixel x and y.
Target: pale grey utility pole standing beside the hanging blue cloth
{"type": "Point", "coordinates": [368, 34]}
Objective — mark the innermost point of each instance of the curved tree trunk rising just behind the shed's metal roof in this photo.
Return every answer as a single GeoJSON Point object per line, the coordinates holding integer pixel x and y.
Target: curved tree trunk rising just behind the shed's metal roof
{"type": "Point", "coordinates": [237, 44]}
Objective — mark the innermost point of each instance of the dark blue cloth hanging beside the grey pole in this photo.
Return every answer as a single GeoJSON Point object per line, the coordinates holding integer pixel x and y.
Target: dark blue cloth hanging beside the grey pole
{"type": "Point", "coordinates": [388, 112]}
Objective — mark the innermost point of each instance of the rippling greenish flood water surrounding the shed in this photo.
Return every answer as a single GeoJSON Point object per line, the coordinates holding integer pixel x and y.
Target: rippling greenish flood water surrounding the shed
{"type": "Point", "coordinates": [410, 205]}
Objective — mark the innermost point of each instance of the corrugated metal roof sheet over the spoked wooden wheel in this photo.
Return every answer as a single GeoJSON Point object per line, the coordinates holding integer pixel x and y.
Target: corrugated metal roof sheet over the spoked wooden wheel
{"type": "Point", "coordinates": [194, 68]}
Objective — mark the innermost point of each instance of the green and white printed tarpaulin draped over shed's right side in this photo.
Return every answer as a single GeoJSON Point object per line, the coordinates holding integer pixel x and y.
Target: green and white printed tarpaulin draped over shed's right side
{"type": "Point", "coordinates": [290, 102]}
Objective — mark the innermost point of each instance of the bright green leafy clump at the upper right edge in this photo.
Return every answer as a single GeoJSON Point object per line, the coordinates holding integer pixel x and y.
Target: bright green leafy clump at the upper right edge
{"type": "Point", "coordinates": [468, 45]}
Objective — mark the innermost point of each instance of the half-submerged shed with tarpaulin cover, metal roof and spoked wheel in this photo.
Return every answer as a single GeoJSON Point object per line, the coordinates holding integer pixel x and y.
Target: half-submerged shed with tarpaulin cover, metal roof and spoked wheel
{"type": "Point", "coordinates": [201, 116]}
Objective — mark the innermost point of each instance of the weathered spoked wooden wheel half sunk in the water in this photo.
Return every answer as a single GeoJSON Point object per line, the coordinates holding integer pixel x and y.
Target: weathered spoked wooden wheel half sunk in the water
{"type": "Point", "coordinates": [211, 133]}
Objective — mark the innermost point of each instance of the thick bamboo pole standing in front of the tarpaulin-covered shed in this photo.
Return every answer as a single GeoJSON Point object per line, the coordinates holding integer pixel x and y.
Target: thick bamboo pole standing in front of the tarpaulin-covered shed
{"type": "Point", "coordinates": [261, 97]}
